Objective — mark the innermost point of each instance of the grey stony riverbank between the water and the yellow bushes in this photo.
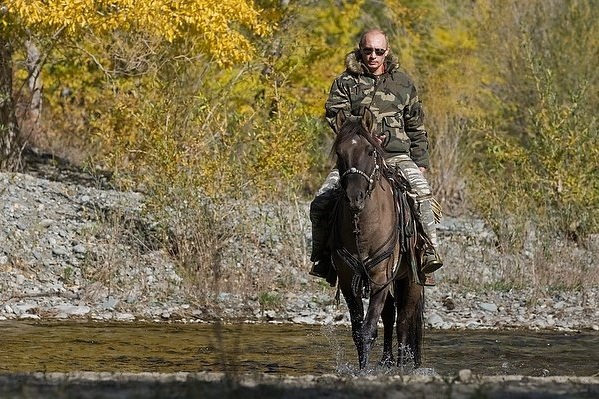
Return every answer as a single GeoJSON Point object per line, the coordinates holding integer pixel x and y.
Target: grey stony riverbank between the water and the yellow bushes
{"type": "Point", "coordinates": [61, 257]}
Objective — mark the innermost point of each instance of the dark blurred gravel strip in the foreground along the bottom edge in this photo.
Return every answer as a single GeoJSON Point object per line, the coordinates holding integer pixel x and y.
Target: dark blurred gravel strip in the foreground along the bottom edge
{"type": "Point", "coordinates": [216, 385]}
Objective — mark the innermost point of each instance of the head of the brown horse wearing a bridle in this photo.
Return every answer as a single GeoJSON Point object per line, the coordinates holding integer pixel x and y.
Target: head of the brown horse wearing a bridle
{"type": "Point", "coordinates": [358, 156]}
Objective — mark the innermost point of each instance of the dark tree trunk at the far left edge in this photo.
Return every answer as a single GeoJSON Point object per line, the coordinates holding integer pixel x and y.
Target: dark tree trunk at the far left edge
{"type": "Point", "coordinates": [10, 149]}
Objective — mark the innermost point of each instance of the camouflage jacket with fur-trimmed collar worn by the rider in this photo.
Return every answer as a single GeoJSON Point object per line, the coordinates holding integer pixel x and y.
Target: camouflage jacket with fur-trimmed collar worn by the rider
{"type": "Point", "coordinates": [393, 99]}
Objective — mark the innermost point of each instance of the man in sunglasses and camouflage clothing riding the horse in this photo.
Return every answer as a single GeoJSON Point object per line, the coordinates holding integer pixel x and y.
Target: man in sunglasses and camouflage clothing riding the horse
{"type": "Point", "coordinates": [372, 79]}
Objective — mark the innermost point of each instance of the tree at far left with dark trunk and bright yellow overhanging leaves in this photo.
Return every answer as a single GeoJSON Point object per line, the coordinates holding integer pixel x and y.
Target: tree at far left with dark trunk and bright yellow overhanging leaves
{"type": "Point", "coordinates": [223, 32]}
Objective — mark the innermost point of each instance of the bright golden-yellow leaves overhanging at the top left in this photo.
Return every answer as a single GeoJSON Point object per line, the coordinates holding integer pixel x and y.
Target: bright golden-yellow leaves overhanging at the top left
{"type": "Point", "coordinates": [218, 25]}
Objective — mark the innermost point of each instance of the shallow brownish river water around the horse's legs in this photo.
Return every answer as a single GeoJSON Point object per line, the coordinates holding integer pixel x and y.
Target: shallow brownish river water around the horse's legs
{"type": "Point", "coordinates": [276, 348]}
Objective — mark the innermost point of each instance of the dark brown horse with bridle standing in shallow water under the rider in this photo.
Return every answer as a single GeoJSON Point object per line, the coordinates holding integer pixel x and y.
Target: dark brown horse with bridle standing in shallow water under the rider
{"type": "Point", "coordinates": [373, 245]}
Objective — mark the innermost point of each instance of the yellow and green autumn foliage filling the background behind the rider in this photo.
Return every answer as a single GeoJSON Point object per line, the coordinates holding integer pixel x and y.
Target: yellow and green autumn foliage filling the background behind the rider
{"type": "Point", "coordinates": [148, 94]}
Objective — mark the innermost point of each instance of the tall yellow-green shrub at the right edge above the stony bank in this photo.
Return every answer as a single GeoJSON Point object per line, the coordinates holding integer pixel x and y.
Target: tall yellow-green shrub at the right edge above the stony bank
{"type": "Point", "coordinates": [537, 156]}
